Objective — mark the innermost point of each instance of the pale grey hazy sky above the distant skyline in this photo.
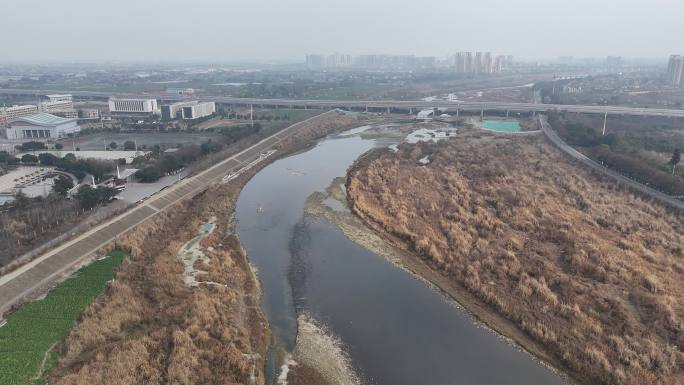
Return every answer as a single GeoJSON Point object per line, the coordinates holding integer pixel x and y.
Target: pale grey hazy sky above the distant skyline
{"type": "Point", "coordinates": [230, 30]}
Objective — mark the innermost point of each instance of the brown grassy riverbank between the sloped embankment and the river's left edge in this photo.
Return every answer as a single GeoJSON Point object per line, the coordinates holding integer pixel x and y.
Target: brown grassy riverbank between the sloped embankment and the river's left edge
{"type": "Point", "coordinates": [163, 320]}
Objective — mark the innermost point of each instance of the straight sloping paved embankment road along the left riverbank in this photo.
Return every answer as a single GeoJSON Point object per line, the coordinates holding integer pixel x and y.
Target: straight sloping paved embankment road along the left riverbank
{"type": "Point", "coordinates": [21, 282]}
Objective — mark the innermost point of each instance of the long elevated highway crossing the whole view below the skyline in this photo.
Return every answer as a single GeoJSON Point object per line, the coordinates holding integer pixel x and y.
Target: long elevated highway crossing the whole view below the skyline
{"type": "Point", "coordinates": [380, 104]}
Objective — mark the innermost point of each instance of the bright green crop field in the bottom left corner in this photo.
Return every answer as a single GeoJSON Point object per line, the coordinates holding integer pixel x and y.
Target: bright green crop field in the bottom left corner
{"type": "Point", "coordinates": [30, 333]}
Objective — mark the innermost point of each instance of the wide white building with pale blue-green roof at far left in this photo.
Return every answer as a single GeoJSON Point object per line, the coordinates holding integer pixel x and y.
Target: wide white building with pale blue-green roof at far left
{"type": "Point", "coordinates": [41, 126]}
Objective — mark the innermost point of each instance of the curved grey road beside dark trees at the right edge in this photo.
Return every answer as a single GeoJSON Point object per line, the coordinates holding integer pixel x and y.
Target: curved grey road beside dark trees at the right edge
{"type": "Point", "coordinates": [556, 140]}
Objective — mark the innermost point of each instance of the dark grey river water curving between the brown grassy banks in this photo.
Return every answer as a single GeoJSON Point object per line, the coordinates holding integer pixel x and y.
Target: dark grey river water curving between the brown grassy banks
{"type": "Point", "coordinates": [394, 329]}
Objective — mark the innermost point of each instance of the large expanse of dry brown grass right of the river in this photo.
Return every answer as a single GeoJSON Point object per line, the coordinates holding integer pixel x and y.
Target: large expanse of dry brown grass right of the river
{"type": "Point", "coordinates": [593, 274]}
